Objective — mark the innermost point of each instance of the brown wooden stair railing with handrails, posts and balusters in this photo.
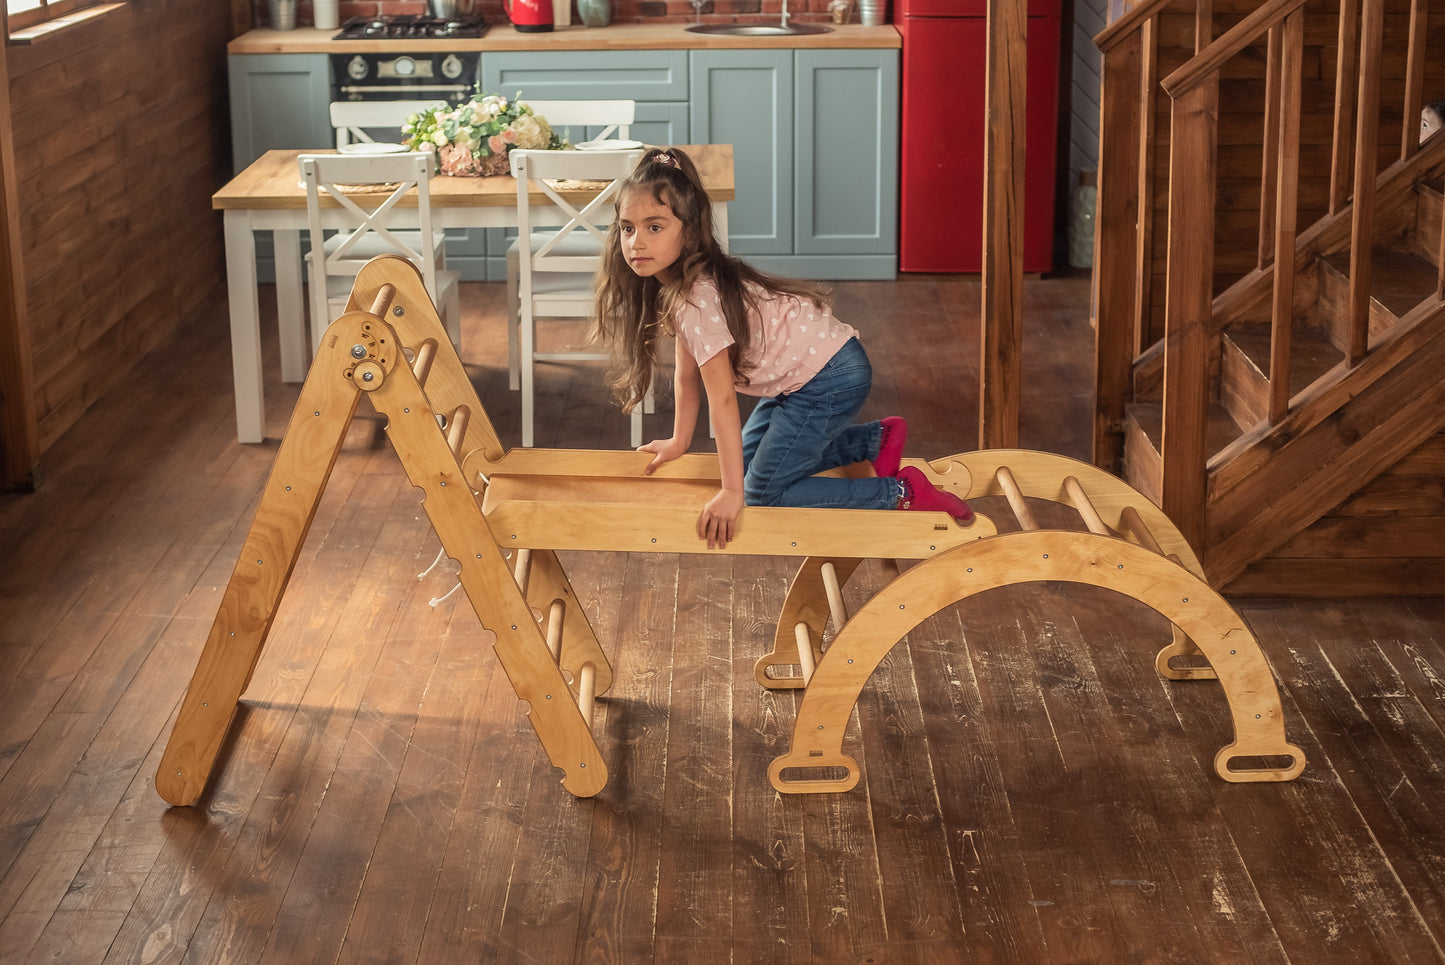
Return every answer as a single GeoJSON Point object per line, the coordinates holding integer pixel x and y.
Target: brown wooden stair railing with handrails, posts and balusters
{"type": "Point", "coordinates": [1125, 255]}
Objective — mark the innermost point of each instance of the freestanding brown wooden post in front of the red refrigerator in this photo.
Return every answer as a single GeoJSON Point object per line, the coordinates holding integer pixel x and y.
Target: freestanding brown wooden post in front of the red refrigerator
{"type": "Point", "coordinates": [1001, 369]}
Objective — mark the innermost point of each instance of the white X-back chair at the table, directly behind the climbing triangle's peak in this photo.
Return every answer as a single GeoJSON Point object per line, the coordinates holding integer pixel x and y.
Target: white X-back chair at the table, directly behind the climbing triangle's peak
{"type": "Point", "coordinates": [374, 229]}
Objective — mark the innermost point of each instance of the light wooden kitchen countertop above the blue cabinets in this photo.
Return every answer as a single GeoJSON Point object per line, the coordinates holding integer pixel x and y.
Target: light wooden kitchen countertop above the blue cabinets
{"type": "Point", "coordinates": [618, 37]}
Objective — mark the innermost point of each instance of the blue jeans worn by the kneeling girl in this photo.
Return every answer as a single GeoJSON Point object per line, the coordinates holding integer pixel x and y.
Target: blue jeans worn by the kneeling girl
{"type": "Point", "coordinates": [791, 438]}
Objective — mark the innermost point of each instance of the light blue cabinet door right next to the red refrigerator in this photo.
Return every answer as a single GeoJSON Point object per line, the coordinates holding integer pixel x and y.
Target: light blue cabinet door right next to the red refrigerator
{"type": "Point", "coordinates": [846, 191]}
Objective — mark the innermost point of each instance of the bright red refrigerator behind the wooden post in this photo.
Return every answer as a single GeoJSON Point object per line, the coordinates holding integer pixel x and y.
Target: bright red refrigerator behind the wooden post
{"type": "Point", "coordinates": [941, 204]}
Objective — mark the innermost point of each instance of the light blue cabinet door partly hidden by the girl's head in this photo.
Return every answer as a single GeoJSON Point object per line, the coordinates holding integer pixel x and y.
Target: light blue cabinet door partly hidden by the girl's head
{"type": "Point", "coordinates": [746, 99]}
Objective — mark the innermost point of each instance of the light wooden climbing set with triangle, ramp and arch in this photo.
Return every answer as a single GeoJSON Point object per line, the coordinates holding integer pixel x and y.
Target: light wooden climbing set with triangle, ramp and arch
{"type": "Point", "coordinates": [502, 515]}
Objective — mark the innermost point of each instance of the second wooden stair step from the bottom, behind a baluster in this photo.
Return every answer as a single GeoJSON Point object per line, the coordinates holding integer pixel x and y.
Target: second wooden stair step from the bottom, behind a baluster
{"type": "Point", "coordinates": [1245, 368]}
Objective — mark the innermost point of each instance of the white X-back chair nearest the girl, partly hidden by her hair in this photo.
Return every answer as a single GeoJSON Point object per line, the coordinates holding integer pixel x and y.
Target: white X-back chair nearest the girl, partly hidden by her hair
{"type": "Point", "coordinates": [554, 281]}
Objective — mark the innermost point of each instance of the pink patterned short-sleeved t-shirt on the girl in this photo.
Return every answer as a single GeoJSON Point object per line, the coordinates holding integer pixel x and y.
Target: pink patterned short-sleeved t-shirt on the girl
{"type": "Point", "coordinates": [793, 337]}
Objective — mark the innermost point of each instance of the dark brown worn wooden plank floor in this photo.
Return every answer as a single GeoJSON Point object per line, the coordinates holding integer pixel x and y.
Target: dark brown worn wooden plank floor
{"type": "Point", "coordinates": [1032, 792]}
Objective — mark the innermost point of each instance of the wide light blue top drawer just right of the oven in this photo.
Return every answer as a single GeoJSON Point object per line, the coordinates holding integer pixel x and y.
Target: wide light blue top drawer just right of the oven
{"type": "Point", "coordinates": [593, 76]}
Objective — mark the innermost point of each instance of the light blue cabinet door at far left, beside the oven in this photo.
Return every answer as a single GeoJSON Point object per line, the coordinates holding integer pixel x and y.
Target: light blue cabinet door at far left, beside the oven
{"type": "Point", "coordinates": [278, 100]}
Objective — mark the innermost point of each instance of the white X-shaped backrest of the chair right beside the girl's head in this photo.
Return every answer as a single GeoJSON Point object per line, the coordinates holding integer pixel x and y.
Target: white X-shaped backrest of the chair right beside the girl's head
{"type": "Point", "coordinates": [596, 173]}
